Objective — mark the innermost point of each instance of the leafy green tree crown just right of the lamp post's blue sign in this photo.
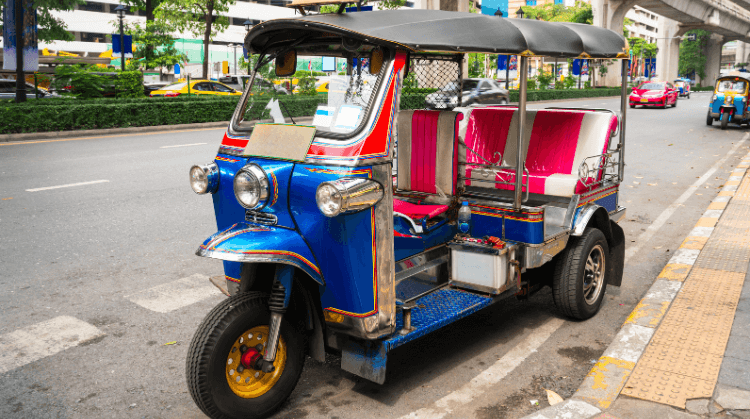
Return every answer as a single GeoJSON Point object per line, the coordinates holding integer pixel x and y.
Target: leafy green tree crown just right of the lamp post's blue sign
{"type": "Point", "coordinates": [155, 45]}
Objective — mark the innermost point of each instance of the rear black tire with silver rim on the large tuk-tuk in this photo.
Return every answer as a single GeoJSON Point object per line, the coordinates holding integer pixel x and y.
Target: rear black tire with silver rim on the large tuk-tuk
{"type": "Point", "coordinates": [580, 282]}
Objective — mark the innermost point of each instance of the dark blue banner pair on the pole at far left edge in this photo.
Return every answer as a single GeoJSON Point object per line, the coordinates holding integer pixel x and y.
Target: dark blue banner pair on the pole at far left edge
{"type": "Point", "coordinates": [30, 42]}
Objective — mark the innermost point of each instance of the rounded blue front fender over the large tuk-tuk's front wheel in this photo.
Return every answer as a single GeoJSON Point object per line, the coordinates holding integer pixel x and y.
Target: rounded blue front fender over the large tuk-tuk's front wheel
{"type": "Point", "coordinates": [247, 242]}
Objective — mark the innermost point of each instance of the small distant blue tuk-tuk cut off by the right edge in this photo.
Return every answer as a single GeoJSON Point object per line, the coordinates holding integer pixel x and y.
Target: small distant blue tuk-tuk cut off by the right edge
{"type": "Point", "coordinates": [729, 101]}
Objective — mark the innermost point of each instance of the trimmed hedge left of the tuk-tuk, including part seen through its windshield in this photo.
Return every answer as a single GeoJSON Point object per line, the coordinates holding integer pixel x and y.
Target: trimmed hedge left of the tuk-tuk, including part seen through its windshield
{"type": "Point", "coordinates": [23, 118]}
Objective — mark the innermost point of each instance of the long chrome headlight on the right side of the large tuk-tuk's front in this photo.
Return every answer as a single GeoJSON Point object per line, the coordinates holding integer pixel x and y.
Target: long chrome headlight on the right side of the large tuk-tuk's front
{"type": "Point", "coordinates": [347, 195]}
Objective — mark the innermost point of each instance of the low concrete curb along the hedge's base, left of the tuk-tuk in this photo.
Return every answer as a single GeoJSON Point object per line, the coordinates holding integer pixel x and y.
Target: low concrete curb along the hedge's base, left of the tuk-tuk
{"type": "Point", "coordinates": [33, 136]}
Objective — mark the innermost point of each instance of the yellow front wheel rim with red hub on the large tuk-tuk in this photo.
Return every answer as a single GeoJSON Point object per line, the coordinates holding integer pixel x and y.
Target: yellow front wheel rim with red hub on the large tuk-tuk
{"type": "Point", "coordinates": [251, 383]}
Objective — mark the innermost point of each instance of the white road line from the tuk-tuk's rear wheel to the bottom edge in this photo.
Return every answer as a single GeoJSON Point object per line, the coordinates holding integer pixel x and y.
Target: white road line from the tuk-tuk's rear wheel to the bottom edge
{"type": "Point", "coordinates": [492, 375]}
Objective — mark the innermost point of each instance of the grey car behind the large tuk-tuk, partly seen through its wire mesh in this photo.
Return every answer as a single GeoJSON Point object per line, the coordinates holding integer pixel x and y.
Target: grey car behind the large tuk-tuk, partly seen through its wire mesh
{"type": "Point", "coordinates": [475, 92]}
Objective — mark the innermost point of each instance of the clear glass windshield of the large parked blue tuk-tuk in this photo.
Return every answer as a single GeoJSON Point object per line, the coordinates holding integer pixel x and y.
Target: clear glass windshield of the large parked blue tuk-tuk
{"type": "Point", "coordinates": [338, 108]}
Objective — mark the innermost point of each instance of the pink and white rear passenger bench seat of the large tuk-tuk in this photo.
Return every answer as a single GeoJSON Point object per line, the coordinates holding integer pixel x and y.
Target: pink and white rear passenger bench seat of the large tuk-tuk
{"type": "Point", "coordinates": [555, 143]}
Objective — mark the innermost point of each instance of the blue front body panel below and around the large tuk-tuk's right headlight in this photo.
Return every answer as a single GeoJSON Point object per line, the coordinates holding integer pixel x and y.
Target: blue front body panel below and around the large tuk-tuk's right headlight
{"type": "Point", "coordinates": [344, 245]}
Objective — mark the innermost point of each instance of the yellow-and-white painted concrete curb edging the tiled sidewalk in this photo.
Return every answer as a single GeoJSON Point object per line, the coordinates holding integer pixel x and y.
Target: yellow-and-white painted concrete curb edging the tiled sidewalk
{"type": "Point", "coordinates": [603, 383]}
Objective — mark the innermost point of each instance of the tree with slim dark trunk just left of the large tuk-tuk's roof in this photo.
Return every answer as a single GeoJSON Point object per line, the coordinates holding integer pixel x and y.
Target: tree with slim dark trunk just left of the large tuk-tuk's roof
{"type": "Point", "coordinates": [200, 17]}
